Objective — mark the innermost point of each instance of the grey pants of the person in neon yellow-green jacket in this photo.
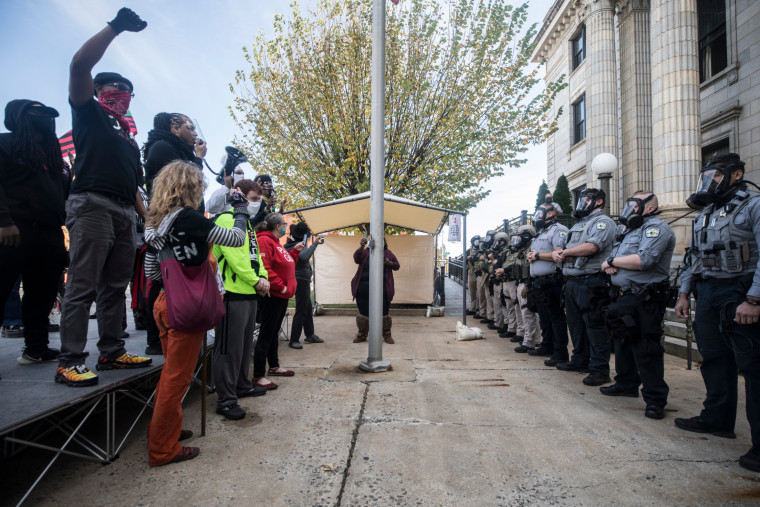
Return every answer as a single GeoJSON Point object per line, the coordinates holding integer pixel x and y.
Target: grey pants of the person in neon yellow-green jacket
{"type": "Point", "coordinates": [233, 340]}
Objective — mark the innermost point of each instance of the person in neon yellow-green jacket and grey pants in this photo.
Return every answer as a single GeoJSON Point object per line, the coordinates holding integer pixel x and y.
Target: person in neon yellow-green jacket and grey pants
{"type": "Point", "coordinates": [245, 282]}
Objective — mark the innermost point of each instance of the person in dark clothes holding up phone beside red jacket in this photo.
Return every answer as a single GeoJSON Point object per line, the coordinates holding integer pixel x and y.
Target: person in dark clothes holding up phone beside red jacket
{"type": "Point", "coordinates": [303, 320]}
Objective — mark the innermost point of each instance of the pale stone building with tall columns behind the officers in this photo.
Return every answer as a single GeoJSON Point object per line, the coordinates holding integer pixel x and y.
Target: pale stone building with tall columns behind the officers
{"type": "Point", "coordinates": [660, 84]}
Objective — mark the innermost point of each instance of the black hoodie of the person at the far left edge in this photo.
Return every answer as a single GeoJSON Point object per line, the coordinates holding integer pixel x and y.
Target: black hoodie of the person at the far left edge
{"type": "Point", "coordinates": [29, 194]}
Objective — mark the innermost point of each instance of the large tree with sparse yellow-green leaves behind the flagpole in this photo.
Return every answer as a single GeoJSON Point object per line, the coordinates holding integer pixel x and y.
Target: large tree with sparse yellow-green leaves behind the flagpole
{"type": "Point", "coordinates": [460, 104]}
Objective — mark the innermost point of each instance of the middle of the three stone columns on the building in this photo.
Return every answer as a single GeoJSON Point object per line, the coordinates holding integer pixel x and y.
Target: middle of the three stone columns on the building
{"type": "Point", "coordinates": [635, 96]}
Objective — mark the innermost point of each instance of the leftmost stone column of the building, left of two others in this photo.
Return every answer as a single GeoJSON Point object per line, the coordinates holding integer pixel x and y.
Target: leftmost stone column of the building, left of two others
{"type": "Point", "coordinates": [601, 85]}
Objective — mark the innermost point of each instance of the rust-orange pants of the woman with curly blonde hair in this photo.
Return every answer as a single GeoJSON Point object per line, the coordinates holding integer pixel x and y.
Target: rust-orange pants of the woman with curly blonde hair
{"type": "Point", "coordinates": [181, 351]}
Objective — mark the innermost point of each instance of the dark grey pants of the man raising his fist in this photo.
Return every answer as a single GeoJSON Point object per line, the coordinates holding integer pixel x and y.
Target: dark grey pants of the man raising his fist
{"type": "Point", "coordinates": [102, 252]}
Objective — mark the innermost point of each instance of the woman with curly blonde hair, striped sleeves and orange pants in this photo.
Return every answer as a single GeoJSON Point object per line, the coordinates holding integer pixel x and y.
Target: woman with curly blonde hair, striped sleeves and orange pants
{"type": "Point", "coordinates": [174, 225]}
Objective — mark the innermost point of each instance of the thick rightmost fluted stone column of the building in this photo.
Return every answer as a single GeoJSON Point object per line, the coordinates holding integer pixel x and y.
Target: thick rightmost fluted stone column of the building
{"type": "Point", "coordinates": [675, 105]}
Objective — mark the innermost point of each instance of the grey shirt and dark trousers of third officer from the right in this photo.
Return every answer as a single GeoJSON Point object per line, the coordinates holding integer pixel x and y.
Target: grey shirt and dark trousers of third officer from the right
{"type": "Point", "coordinates": [591, 341]}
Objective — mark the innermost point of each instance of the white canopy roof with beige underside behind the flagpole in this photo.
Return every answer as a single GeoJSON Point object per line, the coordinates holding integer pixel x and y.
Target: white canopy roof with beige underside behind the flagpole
{"type": "Point", "coordinates": [354, 210]}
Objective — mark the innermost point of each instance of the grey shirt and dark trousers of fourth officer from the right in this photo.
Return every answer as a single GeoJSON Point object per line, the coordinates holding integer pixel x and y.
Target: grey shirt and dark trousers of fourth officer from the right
{"type": "Point", "coordinates": [547, 283]}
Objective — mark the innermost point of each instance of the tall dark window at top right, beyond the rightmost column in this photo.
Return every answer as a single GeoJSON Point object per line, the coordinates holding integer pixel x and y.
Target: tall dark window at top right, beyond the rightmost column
{"type": "Point", "coordinates": [713, 53]}
